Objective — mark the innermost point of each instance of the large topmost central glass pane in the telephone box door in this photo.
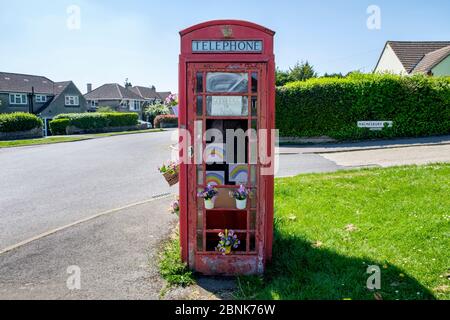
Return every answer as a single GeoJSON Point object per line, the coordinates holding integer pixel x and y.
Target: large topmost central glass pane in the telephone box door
{"type": "Point", "coordinates": [227, 82]}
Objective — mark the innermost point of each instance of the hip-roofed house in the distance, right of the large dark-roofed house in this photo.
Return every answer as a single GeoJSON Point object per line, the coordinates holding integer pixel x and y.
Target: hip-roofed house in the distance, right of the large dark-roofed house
{"type": "Point", "coordinates": [119, 98]}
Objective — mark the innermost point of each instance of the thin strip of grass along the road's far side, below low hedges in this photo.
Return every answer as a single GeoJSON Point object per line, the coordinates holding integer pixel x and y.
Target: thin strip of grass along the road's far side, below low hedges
{"type": "Point", "coordinates": [59, 139]}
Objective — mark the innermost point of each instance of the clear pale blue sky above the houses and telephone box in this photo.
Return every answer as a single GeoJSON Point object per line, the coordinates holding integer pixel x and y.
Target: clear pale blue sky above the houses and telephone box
{"type": "Point", "coordinates": [108, 41]}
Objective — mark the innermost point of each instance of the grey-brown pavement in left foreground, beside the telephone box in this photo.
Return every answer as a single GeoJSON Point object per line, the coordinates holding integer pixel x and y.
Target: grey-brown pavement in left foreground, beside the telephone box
{"type": "Point", "coordinates": [116, 256]}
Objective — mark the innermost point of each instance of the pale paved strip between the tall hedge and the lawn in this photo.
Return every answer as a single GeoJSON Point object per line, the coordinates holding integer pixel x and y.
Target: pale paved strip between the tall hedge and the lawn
{"type": "Point", "coordinates": [381, 153]}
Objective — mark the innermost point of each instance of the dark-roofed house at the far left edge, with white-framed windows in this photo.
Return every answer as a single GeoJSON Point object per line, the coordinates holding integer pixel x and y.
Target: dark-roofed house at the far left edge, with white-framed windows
{"type": "Point", "coordinates": [39, 95]}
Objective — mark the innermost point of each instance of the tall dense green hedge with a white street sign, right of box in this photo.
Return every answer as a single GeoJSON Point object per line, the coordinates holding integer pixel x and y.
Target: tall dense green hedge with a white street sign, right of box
{"type": "Point", "coordinates": [418, 106]}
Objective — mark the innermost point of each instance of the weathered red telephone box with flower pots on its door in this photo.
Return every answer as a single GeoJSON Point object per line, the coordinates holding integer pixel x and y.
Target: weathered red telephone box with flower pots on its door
{"type": "Point", "coordinates": [226, 82]}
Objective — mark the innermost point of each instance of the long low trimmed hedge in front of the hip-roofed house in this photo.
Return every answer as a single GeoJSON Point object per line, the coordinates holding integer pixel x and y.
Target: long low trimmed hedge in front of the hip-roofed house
{"type": "Point", "coordinates": [97, 121]}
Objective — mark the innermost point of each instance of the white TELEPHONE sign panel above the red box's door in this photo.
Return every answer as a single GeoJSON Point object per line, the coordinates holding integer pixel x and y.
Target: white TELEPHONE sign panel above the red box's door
{"type": "Point", "coordinates": [208, 46]}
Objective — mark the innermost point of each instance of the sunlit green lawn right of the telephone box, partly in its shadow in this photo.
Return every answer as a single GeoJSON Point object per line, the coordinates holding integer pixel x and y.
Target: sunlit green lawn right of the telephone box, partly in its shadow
{"type": "Point", "coordinates": [330, 227]}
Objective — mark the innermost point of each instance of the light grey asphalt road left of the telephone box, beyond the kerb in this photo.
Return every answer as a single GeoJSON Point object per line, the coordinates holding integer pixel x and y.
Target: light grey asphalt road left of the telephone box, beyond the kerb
{"type": "Point", "coordinates": [46, 187]}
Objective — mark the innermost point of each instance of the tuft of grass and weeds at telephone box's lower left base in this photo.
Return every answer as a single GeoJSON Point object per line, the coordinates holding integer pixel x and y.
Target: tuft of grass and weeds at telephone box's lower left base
{"type": "Point", "coordinates": [171, 268]}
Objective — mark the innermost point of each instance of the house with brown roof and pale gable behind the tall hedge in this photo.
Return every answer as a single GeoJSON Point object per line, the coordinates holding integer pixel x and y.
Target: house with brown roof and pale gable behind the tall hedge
{"type": "Point", "coordinates": [412, 57]}
